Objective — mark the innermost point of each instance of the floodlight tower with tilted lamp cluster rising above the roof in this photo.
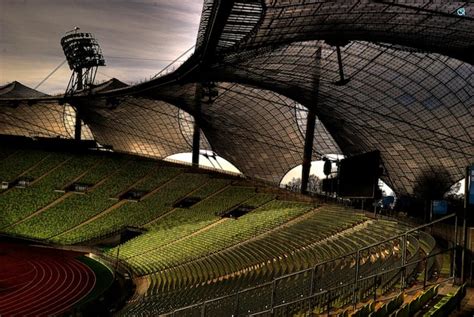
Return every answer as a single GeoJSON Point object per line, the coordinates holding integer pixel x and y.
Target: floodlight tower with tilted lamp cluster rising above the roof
{"type": "Point", "coordinates": [84, 56]}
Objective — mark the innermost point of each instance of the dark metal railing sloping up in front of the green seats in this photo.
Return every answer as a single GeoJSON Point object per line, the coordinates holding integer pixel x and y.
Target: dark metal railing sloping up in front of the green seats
{"type": "Point", "coordinates": [307, 290]}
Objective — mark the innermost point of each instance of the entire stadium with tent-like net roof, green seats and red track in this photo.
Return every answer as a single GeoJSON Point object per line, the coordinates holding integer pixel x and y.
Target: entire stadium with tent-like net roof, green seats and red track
{"type": "Point", "coordinates": [97, 219]}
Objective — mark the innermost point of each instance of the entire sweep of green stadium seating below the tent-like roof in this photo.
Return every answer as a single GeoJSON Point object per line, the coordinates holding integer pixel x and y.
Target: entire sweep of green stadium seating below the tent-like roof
{"type": "Point", "coordinates": [189, 255]}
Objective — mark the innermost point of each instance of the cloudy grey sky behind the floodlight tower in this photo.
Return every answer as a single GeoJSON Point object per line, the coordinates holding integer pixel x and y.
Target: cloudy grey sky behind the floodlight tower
{"type": "Point", "coordinates": [138, 37]}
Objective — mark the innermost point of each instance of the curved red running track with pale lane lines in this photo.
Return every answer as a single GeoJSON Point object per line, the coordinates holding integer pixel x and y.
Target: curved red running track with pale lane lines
{"type": "Point", "coordinates": [41, 282]}
